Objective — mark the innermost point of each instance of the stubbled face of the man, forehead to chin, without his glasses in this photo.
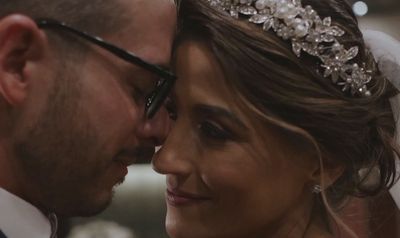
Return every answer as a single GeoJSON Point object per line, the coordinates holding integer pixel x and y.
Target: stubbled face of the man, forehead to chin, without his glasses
{"type": "Point", "coordinates": [76, 141]}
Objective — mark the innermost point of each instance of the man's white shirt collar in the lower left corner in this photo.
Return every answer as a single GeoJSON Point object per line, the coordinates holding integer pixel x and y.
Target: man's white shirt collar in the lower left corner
{"type": "Point", "coordinates": [19, 219]}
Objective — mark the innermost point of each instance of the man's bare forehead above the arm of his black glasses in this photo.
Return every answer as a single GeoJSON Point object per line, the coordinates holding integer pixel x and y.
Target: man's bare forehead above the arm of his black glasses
{"type": "Point", "coordinates": [148, 29]}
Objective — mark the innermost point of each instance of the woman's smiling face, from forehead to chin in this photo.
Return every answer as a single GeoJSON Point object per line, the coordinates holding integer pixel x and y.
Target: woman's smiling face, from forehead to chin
{"type": "Point", "coordinates": [227, 176]}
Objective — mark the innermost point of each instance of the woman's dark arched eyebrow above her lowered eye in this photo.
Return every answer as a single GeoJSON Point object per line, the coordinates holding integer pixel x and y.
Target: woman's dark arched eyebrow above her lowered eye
{"type": "Point", "coordinates": [204, 109]}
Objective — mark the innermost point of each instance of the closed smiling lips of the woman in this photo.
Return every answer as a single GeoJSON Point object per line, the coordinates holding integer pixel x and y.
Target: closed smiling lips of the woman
{"type": "Point", "coordinates": [179, 198]}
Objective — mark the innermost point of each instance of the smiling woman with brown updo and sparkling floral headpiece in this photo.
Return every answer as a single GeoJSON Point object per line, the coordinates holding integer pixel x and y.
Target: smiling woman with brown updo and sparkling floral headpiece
{"type": "Point", "coordinates": [281, 113]}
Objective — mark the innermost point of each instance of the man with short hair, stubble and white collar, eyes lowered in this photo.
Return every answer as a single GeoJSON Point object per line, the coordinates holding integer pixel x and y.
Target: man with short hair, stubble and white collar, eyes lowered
{"type": "Point", "coordinates": [73, 111]}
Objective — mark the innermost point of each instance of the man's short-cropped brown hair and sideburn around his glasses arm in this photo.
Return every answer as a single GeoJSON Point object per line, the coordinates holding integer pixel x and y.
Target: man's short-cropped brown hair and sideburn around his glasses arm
{"type": "Point", "coordinates": [96, 17]}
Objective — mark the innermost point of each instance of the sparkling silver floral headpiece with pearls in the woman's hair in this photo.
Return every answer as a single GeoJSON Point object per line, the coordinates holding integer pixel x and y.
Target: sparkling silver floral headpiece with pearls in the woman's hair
{"type": "Point", "coordinates": [308, 33]}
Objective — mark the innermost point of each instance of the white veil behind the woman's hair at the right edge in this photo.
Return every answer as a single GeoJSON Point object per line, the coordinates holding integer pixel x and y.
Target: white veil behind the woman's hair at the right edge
{"type": "Point", "coordinates": [386, 51]}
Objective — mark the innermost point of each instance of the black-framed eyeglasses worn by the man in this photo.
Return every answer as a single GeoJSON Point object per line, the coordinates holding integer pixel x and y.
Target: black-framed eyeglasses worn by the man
{"type": "Point", "coordinates": [156, 99]}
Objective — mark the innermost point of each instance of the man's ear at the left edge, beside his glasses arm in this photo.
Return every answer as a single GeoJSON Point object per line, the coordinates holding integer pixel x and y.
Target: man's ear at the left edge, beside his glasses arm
{"type": "Point", "coordinates": [21, 48]}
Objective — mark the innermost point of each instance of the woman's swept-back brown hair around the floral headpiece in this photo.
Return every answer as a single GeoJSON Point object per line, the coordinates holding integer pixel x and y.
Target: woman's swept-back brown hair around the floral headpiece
{"type": "Point", "coordinates": [291, 93]}
